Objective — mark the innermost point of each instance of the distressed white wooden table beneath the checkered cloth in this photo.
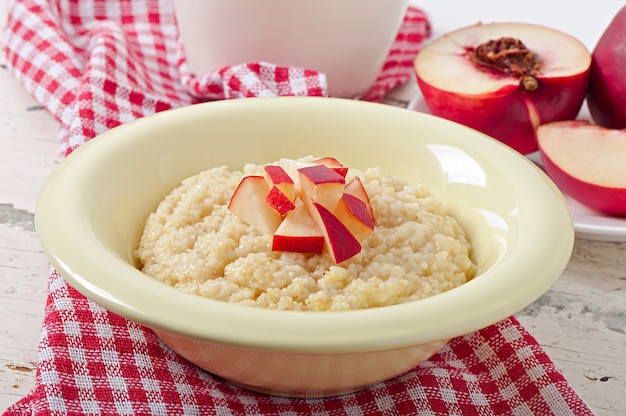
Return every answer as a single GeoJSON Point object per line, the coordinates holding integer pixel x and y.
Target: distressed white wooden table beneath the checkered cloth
{"type": "Point", "coordinates": [580, 322]}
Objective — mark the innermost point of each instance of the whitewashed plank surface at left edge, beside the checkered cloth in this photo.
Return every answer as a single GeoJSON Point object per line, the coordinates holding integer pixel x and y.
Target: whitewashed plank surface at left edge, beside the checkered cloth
{"type": "Point", "coordinates": [28, 149]}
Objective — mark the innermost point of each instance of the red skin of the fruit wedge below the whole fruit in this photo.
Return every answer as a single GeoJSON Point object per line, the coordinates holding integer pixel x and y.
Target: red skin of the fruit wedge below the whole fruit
{"type": "Point", "coordinates": [608, 200]}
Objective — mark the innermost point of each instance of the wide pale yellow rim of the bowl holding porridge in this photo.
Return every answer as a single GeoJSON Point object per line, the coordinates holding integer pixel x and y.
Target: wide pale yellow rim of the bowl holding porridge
{"type": "Point", "coordinates": [305, 332]}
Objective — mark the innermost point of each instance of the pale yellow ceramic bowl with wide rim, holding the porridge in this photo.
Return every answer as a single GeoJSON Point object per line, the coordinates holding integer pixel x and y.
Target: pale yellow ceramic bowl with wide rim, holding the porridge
{"type": "Point", "coordinates": [92, 209]}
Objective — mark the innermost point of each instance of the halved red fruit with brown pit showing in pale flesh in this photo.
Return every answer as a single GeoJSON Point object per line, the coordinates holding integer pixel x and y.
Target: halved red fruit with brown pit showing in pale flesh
{"type": "Point", "coordinates": [504, 79]}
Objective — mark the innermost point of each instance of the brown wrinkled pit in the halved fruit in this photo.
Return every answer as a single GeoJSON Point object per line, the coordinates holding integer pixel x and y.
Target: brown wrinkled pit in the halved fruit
{"type": "Point", "coordinates": [509, 56]}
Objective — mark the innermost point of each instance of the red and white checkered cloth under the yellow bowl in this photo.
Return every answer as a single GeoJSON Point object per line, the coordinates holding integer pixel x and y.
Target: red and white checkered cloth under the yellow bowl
{"type": "Point", "coordinates": [95, 64]}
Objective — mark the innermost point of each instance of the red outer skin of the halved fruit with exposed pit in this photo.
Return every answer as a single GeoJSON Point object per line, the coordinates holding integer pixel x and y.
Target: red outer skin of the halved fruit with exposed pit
{"type": "Point", "coordinates": [505, 115]}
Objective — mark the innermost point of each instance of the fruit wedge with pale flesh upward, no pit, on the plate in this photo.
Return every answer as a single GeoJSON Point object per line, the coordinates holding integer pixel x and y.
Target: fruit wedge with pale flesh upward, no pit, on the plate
{"type": "Point", "coordinates": [587, 162]}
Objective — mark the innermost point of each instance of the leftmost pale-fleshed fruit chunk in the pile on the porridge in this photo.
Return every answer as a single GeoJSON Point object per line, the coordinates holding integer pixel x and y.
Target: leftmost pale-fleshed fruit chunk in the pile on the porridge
{"type": "Point", "coordinates": [248, 203]}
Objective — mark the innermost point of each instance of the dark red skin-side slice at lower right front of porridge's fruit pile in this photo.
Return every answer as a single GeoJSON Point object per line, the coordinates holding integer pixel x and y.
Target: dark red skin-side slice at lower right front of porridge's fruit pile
{"type": "Point", "coordinates": [338, 240]}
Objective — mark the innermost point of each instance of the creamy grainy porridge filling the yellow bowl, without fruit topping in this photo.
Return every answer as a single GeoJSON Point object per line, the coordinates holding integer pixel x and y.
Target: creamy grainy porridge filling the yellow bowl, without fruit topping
{"type": "Point", "coordinates": [195, 244]}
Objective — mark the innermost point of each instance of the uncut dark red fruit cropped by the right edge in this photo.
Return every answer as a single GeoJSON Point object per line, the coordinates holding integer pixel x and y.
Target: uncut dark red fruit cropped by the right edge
{"type": "Point", "coordinates": [607, 85]}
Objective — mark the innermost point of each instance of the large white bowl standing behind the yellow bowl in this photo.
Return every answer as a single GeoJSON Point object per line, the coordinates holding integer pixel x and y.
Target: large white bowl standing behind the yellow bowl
{"type": "Point", "coordinates": [347, 40]}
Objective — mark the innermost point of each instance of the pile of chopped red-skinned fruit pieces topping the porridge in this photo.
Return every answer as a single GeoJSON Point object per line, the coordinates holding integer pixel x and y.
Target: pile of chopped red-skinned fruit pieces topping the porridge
{"type": "Point", "coordinates": [307, 207]}
